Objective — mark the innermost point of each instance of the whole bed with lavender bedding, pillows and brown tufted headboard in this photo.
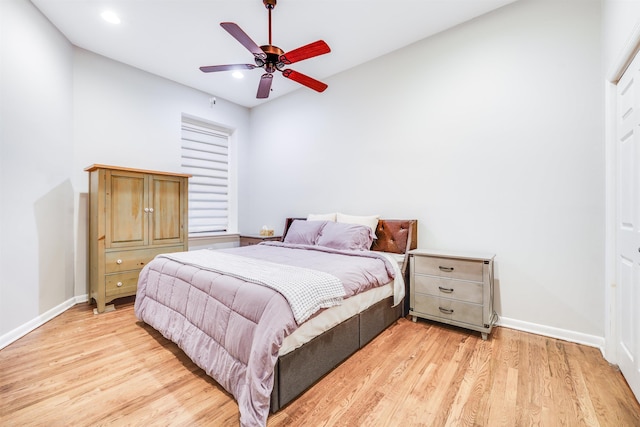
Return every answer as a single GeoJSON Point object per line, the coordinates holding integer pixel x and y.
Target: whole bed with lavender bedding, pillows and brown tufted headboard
{"type": "Point", "coordinates": [222, 310]}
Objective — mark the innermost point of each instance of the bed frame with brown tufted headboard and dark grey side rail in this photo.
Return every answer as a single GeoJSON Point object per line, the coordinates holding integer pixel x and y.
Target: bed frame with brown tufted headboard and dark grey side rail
{"type": "Point", "coordinates": [298, 370]}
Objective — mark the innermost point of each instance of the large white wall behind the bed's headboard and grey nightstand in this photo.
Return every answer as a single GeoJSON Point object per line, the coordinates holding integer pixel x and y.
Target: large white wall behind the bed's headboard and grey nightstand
{"type": "Point", "coordinates": [490, 134]}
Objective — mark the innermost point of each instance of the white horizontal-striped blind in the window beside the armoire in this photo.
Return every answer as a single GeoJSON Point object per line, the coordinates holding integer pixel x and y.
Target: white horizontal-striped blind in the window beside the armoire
{"type": "Point", "coordinates": [205, 155]}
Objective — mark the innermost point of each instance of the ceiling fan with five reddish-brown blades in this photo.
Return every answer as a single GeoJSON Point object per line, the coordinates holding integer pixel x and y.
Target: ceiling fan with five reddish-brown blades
{"type": "Point", "coordinates": [272, 58]}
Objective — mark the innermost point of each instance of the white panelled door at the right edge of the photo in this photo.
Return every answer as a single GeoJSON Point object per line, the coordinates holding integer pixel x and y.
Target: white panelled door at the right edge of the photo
{"type": "Point", "coordinates": [628, 225]}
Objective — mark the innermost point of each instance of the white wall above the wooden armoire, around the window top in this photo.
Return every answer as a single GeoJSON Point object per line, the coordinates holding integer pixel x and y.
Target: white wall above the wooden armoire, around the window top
{"type": "Point", "coordinates": [128, 117]}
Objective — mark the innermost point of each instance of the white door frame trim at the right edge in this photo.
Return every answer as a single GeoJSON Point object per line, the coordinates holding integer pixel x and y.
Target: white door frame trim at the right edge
{"type": "Point", "coordinates": [630, 50]}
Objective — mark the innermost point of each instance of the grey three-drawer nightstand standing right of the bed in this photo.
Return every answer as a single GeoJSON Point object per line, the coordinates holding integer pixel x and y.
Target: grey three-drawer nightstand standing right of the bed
{"type": "Point", "coordinates": [453, 287]}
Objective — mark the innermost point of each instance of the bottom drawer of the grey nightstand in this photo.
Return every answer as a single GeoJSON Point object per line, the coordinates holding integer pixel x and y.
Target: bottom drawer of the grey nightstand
{"type": "Point", "coordinates": [448, 309]}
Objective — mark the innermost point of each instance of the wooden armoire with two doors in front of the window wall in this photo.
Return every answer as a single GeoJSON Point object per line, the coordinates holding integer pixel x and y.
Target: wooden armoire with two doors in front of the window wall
{"type": "Point", "coordinates": [134, 215]}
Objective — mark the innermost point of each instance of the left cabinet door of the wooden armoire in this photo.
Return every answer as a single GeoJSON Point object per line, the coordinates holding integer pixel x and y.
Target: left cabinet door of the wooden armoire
{"type": "Point", "coordinates": [126, 200]}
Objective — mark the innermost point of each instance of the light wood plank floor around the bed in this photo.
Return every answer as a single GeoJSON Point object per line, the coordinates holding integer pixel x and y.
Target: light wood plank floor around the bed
{"type": "Point", "coordinates": [85, 370]}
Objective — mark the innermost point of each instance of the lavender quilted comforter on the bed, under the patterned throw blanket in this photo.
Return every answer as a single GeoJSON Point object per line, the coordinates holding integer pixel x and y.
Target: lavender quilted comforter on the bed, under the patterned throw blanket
{"type": "Point", "coordinates": [233, 329]}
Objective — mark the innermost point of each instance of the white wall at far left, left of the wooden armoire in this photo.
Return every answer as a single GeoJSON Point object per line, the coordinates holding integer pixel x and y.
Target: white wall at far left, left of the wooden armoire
{"type": "Point", "coordinates": [36, 152]}
